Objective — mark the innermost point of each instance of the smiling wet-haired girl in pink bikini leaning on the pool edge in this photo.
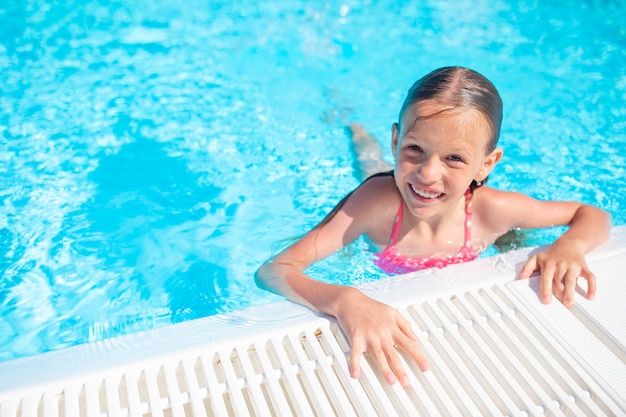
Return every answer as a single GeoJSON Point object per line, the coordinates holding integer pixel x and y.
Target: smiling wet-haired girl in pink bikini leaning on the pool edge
{"type": "Point", "coordinates": [430, 211]}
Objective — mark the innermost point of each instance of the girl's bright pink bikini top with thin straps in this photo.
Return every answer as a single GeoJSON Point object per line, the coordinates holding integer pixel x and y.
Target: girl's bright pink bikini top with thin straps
{"type": "Point", "coordinates": [392, 262]}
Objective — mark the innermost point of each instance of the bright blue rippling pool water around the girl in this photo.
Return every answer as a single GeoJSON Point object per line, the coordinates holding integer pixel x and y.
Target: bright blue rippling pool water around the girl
{"type": "Point", "coordinates": [154, 153]}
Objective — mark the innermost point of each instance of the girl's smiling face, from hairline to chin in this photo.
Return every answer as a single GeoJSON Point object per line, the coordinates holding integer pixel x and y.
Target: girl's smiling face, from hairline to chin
{"type": "Point", "coordinates": [439, 150]}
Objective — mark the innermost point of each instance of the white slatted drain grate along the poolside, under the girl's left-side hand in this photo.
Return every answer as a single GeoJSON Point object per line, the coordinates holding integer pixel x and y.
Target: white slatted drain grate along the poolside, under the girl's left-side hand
{"type": "Point", "coordinates": [487, 357]}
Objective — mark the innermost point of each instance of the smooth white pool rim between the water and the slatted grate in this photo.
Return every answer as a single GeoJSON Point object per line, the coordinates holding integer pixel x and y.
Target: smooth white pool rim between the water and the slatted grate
{"type": "Point", "coordinates": [44, 372]}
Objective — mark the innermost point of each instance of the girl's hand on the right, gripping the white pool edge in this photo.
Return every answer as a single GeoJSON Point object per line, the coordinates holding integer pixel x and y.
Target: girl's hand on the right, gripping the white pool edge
{"type": "Point", "coordinates": [560, 265]}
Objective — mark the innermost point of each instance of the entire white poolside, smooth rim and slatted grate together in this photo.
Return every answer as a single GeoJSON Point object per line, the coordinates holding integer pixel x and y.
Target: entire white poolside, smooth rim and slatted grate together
{"type": "Point", "coordinates": [493, 350]}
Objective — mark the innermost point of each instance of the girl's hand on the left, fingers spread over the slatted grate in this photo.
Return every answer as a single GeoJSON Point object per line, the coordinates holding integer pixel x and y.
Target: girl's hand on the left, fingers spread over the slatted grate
{"type": "Point", "coordinates": [379, 330]}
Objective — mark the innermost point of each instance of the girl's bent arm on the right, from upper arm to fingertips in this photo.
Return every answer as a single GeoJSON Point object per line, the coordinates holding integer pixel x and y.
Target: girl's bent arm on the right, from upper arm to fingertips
{"type": "Point", "coordinates": [564, 261]}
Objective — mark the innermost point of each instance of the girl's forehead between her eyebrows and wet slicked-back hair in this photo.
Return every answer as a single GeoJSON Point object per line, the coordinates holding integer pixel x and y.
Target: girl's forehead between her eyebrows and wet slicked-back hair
{"type": "Point", "coordinates": [460, 124]}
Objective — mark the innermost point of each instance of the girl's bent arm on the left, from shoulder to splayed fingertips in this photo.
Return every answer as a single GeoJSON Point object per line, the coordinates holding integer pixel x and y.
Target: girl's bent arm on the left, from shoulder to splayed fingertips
{"type": "Point", "coordinates": [369, 325]}
